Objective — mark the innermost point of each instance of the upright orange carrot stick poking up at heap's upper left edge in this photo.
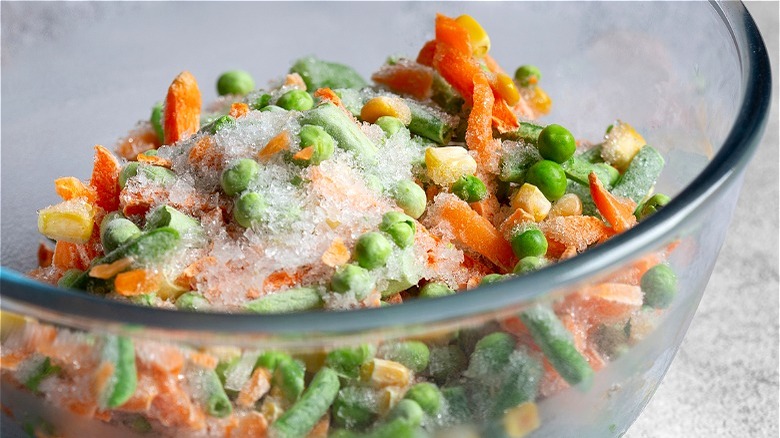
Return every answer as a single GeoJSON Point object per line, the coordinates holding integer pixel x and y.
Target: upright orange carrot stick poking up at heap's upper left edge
{"type": "Point", "coordinates": [181, 112]}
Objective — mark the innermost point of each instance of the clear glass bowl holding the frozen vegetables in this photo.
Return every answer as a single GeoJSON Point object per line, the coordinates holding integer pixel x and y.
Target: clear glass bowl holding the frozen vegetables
{"type": "Point", "coordinates": [693, 77]}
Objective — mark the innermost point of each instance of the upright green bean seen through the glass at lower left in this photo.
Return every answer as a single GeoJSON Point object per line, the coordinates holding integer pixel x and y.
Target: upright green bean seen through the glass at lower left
{"type": "Point", "coordinates": [120, 353]}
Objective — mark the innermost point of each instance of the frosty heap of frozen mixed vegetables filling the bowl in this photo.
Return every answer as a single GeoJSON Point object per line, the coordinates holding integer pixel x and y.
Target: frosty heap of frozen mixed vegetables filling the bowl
{"type": "Point", "coordinates": [325, 192]}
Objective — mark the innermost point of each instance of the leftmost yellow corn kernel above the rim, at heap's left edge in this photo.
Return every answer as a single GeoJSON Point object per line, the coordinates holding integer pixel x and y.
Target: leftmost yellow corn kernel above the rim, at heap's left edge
{"type": "Point", "coordinates": [71, 221]}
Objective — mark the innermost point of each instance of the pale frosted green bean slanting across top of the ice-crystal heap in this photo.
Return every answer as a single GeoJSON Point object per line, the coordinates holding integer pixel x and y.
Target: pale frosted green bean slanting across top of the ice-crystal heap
{"type": "Point", "coordinates": [347, 134]}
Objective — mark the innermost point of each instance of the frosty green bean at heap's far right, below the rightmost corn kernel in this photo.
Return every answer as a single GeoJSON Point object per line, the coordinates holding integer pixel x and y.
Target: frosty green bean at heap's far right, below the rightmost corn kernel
{"type": "Point", "coordinates": [641, 175]}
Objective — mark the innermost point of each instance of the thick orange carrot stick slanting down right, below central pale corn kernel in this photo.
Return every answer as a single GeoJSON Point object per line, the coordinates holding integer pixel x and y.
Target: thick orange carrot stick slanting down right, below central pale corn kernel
{"type": "Point", "coordinates": [477, 233]}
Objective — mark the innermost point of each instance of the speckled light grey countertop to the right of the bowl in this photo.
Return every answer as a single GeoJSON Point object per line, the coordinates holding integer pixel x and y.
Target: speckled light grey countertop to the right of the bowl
{"type": "Point", "coordinates": [724, 380]}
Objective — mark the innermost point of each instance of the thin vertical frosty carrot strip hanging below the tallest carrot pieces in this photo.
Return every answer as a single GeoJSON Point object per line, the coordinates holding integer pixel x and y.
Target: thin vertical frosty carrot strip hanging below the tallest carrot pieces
{"type": "Point", "coordinates": [479, 134]}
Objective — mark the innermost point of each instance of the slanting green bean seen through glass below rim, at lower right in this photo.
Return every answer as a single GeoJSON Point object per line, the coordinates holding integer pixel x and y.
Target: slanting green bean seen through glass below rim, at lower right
{"type": "Point", "coordinates": [557, 345]}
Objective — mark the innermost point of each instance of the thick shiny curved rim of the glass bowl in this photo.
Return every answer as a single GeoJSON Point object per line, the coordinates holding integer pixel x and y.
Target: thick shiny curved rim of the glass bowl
{"type": "Point", "coordinates": [85, 311]}
